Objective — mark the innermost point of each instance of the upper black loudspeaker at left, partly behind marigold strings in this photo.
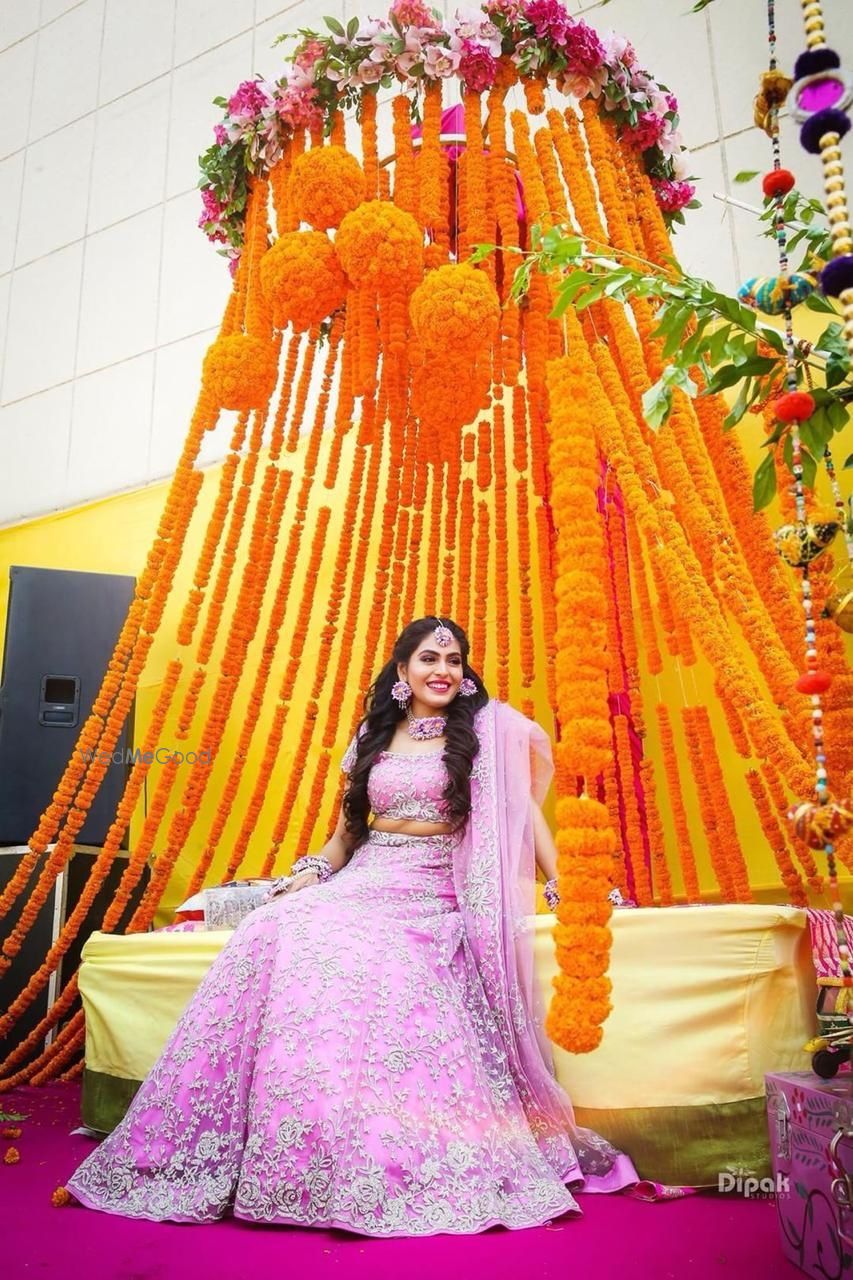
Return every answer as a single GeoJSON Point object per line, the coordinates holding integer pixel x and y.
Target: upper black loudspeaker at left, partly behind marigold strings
{"type": "Point", "coordinates": [62, 628]}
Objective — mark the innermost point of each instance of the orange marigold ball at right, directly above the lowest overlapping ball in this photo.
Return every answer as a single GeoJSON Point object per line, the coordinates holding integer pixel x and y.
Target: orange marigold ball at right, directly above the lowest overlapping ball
{"type": "Point", "coordinates": [457, 307]}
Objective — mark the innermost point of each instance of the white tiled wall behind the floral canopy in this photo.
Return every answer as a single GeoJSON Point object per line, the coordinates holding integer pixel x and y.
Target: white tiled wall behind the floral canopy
{"type": "Point", "coordinates": [110, 295]}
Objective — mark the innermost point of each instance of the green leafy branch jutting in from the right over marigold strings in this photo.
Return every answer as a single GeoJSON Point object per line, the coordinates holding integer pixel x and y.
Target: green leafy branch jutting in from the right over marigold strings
{"type": "Point", "coordinates": [710, 342]}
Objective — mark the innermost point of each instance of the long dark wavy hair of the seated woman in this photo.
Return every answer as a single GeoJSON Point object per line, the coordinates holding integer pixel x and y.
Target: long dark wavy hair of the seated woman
{"type": "Point", "coordinates": [381, 720]}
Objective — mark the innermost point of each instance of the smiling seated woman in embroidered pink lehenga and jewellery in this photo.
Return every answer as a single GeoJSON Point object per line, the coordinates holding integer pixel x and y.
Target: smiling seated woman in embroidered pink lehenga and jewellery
{"type": "Point", "coordinates": [368, 1052]}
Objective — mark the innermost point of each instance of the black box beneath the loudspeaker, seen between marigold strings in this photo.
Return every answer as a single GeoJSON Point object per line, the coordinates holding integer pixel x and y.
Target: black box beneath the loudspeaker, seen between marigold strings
{"type": "Point", "coordinates": [61, 903]}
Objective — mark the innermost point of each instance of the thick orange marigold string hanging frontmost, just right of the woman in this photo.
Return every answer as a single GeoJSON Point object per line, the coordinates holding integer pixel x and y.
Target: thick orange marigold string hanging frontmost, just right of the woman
{"type": "Point", "coordinates": [585, 839]}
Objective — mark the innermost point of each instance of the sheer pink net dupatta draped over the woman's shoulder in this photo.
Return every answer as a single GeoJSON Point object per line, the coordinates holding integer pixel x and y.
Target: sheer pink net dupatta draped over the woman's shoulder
{"type": "Point", "coordinates": [495, 881]}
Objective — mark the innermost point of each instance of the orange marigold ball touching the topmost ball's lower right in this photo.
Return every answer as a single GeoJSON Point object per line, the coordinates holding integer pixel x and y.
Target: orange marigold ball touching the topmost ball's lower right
{"type": "Point", "coordinates": [378, 244]}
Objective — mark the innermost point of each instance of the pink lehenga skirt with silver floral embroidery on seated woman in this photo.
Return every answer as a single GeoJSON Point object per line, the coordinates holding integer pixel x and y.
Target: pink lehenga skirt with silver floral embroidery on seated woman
{"type": "Point", "coordinates": [337, 1067]}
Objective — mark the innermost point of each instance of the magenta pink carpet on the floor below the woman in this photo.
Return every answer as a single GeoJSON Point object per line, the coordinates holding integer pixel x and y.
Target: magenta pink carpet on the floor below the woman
{"type": "Point", "coordinates": [700, 1237]}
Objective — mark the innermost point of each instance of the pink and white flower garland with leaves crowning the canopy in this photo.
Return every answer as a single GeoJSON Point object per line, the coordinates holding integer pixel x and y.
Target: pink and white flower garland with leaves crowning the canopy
{"type": "Point", "coordinates": [414, 47]}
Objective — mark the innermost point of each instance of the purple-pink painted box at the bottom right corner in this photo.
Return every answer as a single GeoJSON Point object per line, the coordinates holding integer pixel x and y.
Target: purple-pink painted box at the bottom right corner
{"type": "Point", "coordinates": [811, 1142]}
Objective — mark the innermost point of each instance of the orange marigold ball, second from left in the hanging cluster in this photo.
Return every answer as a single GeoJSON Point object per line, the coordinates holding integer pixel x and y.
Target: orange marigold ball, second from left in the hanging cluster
{"type": "Point", "coordinates": [303, 280]}
